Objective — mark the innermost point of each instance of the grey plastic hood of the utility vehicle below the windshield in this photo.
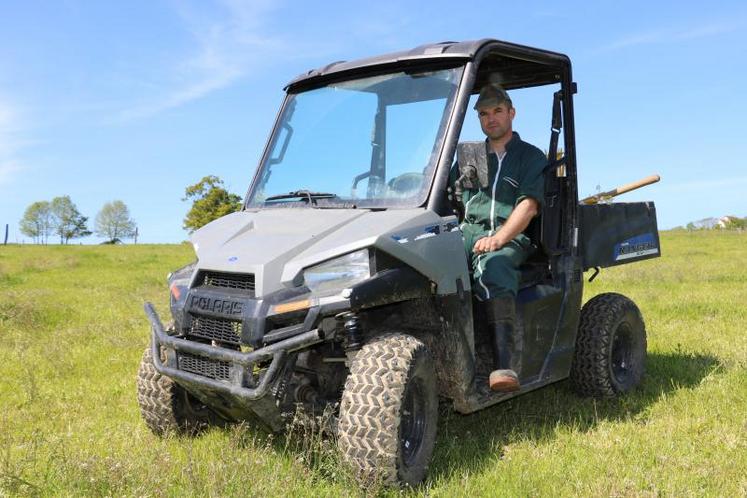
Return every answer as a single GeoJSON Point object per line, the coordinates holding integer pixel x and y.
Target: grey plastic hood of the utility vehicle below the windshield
{"type": "Point", "coordinates": [277, 244]}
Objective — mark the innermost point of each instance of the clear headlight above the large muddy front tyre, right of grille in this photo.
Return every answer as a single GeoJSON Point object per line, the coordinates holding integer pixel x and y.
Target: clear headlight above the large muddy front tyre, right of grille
{"type": "Point", "coordinates": [337, 274]}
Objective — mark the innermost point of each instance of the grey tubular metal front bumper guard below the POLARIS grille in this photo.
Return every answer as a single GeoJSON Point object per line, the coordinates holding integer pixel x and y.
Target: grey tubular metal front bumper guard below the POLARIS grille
{"type": "Point", "coordinates": [242, 382]}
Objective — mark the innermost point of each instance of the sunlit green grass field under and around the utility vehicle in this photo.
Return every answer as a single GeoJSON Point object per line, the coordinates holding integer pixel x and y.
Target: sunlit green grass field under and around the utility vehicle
{"type": "Point", "coordinates": [72, 332]}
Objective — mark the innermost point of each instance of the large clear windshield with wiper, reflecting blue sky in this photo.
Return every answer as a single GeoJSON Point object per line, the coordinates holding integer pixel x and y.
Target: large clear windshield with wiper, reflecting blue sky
{"type": "Point", "coordinates": [370, 142]}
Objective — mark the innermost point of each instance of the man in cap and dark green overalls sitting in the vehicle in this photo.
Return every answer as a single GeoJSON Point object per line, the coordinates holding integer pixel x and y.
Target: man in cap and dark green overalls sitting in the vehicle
{"type": "Point", "coordinates": [494, 218]}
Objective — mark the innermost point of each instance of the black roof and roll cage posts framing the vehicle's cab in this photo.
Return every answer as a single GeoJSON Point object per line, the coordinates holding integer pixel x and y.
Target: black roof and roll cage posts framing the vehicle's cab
{"type": "Point", "coordinates": [487, 60]}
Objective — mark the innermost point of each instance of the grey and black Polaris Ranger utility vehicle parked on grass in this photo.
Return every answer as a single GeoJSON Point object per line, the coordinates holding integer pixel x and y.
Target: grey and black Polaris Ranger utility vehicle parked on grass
{"type": "Point", "coordinates": [343, 283]}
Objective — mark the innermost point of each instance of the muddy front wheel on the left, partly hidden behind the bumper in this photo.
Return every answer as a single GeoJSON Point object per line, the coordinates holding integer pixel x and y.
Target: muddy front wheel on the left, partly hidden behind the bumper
{"type": "Point", "coordinates": [167, 407]}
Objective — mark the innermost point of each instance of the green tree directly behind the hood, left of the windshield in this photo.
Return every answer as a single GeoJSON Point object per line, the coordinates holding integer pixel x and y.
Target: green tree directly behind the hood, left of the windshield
{"type": "Point", "coordinates": [210, 201]}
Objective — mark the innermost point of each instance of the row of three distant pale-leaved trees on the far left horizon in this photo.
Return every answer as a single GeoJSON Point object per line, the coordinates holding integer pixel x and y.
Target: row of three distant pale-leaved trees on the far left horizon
{"type": "Point", "coordinates": [61, 217]}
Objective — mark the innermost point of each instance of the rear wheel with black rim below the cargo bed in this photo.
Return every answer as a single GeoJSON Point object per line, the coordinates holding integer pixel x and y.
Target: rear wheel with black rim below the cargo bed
{"type": "Point", "coordinates": [610, 351]}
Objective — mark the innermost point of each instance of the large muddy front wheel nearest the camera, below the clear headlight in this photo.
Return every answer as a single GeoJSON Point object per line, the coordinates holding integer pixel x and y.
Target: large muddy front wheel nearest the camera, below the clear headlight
{"type": "Point", "coordinates": [389, 411]}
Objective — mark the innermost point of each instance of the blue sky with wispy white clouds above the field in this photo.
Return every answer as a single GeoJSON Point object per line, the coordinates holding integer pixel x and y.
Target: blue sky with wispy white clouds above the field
{"type": "Point", "coordinates": [137, 100]}
